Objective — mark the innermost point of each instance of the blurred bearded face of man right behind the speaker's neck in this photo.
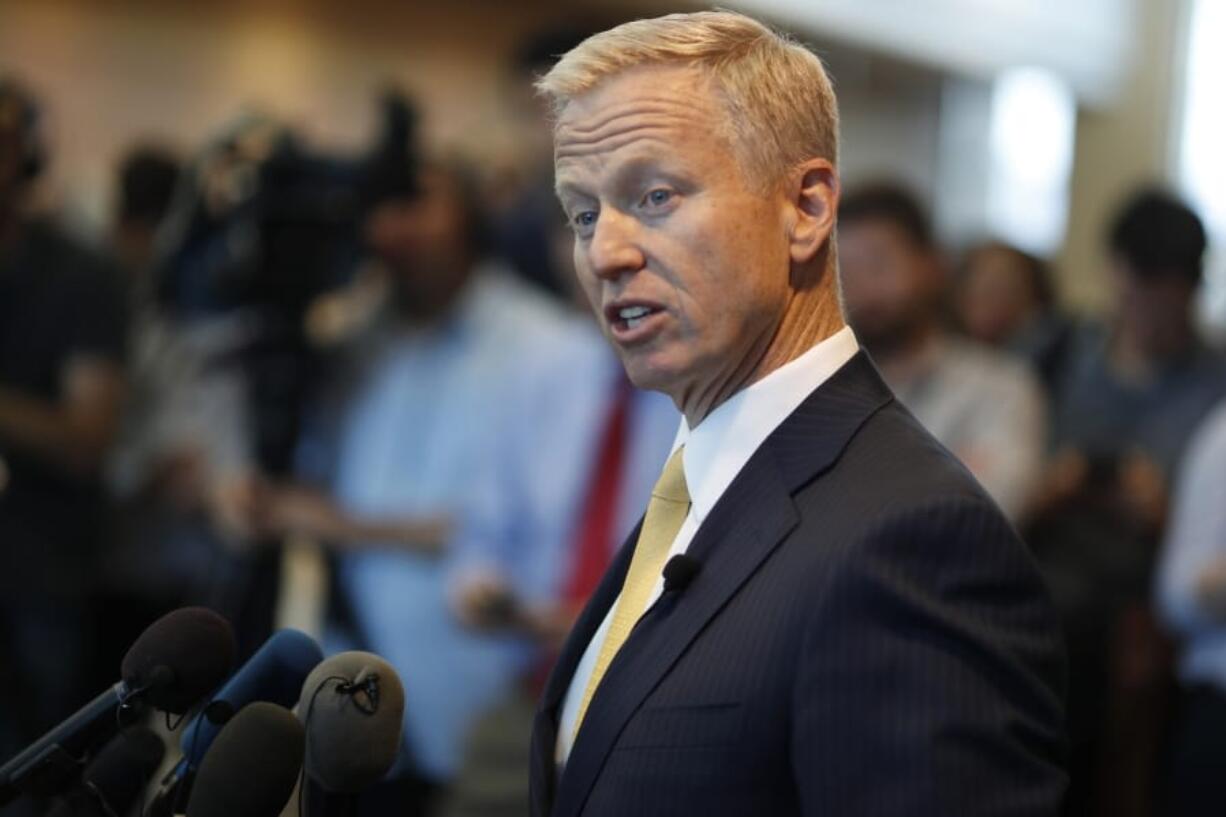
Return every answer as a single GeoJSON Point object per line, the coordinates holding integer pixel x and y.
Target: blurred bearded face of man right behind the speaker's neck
{"type": "Point", "coordinates": [887, 282]}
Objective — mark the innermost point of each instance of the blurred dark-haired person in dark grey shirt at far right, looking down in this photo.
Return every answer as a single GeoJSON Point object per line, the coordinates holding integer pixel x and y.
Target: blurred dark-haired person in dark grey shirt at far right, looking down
{"type": "Point", "coordinates": [1144, 381]}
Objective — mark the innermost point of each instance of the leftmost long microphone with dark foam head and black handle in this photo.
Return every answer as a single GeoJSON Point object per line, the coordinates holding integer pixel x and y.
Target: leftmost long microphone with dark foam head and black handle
{"type": "Point", "coordinates": [175, 663]}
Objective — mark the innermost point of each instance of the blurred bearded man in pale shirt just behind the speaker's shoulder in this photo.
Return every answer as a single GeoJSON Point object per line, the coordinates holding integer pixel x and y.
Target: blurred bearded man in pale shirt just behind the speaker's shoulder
{"type": "Point", "coordinates": [985, 407]}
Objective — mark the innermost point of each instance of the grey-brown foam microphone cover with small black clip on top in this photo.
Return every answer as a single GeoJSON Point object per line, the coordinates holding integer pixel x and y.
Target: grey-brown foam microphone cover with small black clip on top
{"type": "Point", "coordinates": [354, 710]}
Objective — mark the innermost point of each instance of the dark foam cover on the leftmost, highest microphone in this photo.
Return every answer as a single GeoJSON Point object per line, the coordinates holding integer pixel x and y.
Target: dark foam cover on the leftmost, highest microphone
{"type": "Point", "coordinates": [181, 658]}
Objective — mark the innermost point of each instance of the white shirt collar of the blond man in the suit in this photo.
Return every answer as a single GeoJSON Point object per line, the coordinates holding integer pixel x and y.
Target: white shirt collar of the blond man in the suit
{"type": "Point", "coordinates": [725, 440]}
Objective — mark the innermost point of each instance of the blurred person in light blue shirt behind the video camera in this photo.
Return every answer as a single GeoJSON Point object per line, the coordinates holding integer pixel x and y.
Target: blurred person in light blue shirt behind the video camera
{"type": "Point", "coordinates": [413, 416]}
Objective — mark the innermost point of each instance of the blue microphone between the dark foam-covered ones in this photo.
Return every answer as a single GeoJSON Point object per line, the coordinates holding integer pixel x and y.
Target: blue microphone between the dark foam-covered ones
{"type": "Point", "coordinates": [274, 674]}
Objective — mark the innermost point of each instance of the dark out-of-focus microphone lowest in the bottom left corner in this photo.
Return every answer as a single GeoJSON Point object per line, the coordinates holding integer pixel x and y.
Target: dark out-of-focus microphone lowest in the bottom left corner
{"type": "Point", "coordinates": [116, 778]}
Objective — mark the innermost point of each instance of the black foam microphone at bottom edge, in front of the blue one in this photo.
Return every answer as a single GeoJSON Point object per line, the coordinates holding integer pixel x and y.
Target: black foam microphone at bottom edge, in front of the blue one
{"type": "Point", "coordinates": [253, 766]}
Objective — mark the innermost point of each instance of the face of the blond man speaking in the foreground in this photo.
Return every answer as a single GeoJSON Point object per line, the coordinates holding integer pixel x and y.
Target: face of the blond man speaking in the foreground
{"type": "Point", "coordinates": [686, 268]}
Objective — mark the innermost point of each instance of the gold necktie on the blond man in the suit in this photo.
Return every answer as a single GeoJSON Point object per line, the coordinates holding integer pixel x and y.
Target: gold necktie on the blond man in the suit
{"type": "Point", "coordinates": [666, 512]}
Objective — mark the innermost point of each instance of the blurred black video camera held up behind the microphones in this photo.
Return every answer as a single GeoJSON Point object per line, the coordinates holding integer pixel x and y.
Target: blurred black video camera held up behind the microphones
{"type": "Point", "coordinates": [262, 228]}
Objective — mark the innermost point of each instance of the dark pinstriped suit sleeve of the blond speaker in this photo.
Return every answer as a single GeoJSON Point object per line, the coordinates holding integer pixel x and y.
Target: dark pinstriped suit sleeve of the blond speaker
{"type": "Point", "coordinates": [931, 679]}
